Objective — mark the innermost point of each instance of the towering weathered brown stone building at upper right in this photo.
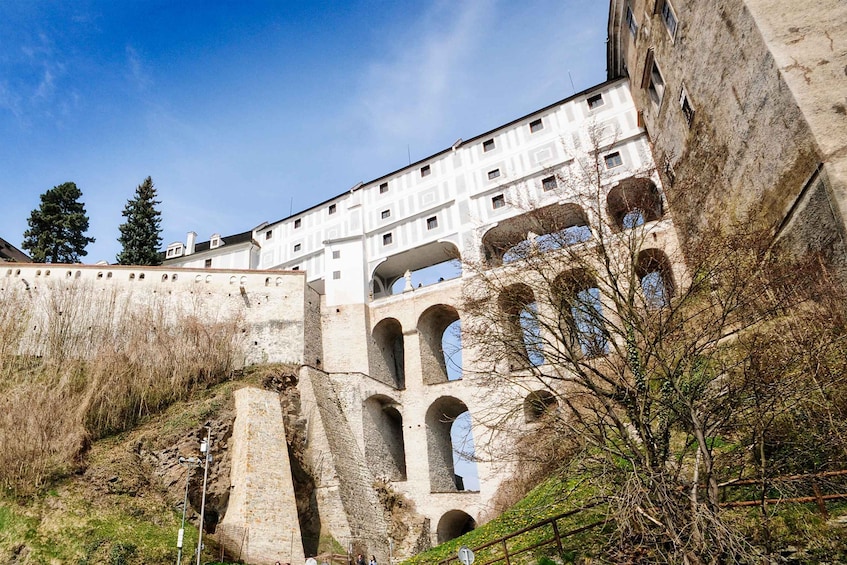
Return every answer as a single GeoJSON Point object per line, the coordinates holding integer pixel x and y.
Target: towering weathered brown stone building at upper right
{"type": "Point", "coordinates": [744, 103]}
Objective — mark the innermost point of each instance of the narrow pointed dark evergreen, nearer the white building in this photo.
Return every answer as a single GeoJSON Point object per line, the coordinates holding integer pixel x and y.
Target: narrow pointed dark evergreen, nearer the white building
{"type": "Point", "coordinates": [141, 233]}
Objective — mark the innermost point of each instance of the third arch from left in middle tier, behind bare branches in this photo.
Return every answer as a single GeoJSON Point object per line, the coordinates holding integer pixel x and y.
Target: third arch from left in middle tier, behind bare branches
{"type": "Point", "coordinates": [517, 302]}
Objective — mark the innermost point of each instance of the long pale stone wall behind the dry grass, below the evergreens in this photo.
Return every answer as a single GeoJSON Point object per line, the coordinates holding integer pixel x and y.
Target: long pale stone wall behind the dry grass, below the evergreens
{"type": "Point", "coordinates": [268, 307]}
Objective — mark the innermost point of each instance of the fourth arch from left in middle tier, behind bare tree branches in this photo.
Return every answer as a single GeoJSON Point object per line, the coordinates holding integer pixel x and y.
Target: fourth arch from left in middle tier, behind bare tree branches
{"type": "Point", "coordinates": [581, 311]}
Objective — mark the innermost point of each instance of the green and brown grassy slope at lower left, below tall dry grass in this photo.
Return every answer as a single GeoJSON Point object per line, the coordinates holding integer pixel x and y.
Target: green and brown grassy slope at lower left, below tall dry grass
{"type": "Point", "coordinates": [115, 512]}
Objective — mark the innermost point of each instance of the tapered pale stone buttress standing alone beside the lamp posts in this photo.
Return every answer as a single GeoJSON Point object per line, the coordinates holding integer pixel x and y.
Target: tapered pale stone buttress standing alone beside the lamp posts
{"type": "Point", "coordinates": [261, 523]}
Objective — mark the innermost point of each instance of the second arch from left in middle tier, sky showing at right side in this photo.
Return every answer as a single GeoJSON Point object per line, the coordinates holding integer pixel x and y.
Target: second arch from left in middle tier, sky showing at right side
{"type": "Point", "coordinates": [433, 327]}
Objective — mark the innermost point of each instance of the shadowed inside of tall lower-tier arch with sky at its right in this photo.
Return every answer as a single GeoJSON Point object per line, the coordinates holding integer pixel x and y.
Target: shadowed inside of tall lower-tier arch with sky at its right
{"type": "Point", "coordinates": [439, 420]}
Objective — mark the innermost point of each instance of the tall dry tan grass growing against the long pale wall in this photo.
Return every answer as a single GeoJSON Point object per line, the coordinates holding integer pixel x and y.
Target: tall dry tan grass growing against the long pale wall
{"type": "Point", "coordinates": [77, 364]}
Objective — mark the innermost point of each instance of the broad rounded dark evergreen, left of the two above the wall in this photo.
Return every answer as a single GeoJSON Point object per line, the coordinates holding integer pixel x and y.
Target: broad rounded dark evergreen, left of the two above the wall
{"type": "Point", "coordinates": [57, 228]}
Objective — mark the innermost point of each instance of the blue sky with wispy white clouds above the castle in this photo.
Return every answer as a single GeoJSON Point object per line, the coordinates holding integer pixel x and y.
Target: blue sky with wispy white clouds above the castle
{"type": "Point", "coordinates": [244, 110]}
